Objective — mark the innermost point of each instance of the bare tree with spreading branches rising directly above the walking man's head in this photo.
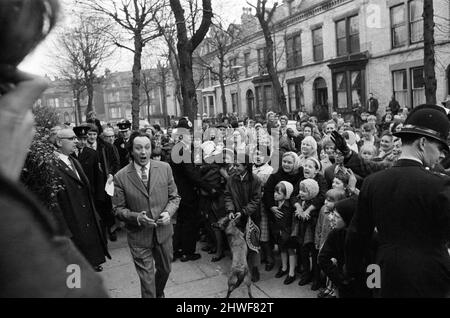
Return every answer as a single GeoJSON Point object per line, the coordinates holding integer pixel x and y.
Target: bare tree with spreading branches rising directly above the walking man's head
{"type": "Point", "coordinates": [137, 19]}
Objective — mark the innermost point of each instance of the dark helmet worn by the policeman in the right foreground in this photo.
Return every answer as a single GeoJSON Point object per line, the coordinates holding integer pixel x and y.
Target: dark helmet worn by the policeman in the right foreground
{"type": "Point", "coordinates": [428, 121]}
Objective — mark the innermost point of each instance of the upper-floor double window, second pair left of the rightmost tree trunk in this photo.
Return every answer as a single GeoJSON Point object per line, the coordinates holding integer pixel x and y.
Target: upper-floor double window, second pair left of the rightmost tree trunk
{"type": "Point", "coordinates": [347, 35]}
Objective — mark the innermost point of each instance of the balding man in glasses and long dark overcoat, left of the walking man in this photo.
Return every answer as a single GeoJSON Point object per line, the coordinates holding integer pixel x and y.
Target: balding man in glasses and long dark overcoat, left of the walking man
{"type": "Point", "coordinates": [79, 218]}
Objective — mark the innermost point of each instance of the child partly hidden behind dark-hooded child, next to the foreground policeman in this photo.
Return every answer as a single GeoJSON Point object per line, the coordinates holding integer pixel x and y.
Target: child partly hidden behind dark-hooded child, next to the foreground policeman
{"type": "Point", "coordinates": [323, 228]}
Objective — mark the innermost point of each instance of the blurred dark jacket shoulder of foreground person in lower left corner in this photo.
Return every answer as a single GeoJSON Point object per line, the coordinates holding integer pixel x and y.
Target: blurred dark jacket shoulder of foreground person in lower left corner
{"type": "Point", "coordinates": [34, 259]}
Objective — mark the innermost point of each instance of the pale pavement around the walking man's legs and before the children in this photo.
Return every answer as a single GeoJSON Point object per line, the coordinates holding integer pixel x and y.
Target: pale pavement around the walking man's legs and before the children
{"type": "Point", "coordinates": [193, 279]}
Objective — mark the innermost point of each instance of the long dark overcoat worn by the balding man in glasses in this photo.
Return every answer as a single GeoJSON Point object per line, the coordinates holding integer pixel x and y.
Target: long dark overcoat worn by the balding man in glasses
{"type": "Point", "coordinates": [76, 204]}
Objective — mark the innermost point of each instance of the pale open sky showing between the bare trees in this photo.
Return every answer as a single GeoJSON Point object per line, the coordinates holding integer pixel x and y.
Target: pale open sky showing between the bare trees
{"type": "Point", "coordinates": [40, 61]}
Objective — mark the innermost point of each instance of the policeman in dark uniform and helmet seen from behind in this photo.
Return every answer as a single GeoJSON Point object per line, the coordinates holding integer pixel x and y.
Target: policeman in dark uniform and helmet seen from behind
{"type": "Point", "coordinates": [408, 206]}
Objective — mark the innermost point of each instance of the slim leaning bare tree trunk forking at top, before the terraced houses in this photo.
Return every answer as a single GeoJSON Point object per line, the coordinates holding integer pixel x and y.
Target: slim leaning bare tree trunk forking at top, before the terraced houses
{"type": "Point", "coordinates": [265, 19]}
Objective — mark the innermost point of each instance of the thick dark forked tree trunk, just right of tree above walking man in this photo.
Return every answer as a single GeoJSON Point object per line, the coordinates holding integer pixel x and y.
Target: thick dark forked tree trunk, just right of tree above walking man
{"type": "Point", "coordinates": [186, 47]}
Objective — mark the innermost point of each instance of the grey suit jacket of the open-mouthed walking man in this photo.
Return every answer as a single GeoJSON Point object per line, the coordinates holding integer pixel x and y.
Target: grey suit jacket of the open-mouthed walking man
{"type": "Point", "coordinates": [131, 198]}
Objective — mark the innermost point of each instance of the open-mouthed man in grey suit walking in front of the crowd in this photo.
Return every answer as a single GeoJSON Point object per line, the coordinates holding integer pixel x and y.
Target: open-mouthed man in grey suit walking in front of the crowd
{"type": "Point", "coordinates": [145, 198]}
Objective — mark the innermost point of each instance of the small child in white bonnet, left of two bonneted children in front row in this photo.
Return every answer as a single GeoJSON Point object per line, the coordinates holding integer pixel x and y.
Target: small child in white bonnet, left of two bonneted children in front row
{"type": "Point", "coordinates": [283, 230]}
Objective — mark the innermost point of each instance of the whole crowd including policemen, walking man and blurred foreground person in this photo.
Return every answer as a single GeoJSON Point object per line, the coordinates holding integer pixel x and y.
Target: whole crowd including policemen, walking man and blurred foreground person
{"type": "Point", "coordinates": [332, 199]}
